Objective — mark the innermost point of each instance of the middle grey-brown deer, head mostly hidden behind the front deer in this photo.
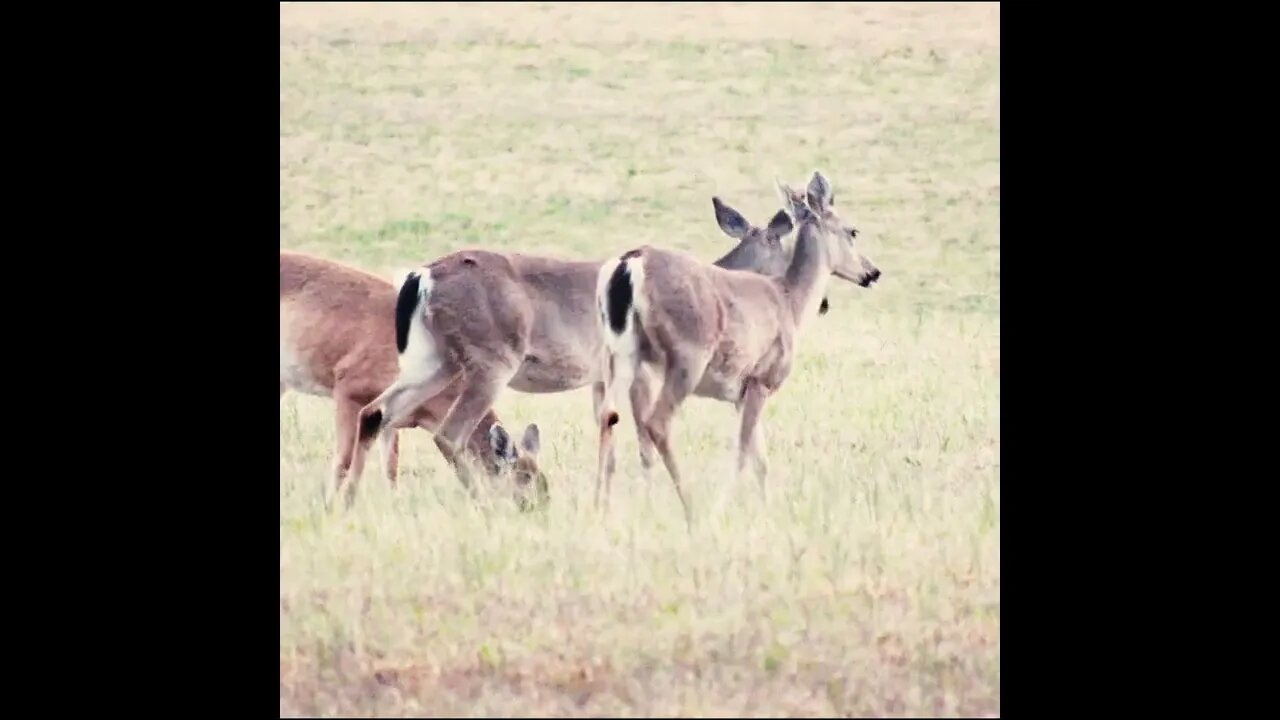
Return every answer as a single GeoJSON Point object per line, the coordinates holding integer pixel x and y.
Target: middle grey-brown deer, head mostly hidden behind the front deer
{"type": "Point", "coordinates": [491, 321]}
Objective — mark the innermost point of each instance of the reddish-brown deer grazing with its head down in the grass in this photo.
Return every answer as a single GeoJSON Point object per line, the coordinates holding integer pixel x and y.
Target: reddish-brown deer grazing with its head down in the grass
{"type": "Point", "coordinates": [339, 340]}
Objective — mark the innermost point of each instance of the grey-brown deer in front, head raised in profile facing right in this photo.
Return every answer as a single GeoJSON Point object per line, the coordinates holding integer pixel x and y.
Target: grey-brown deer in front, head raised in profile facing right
{"type": "Point", "coordinates": [717, 334]}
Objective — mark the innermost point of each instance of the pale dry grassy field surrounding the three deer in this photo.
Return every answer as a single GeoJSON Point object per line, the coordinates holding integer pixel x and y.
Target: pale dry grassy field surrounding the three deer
{"type": "Point", "coordinates": [870, 581]}
